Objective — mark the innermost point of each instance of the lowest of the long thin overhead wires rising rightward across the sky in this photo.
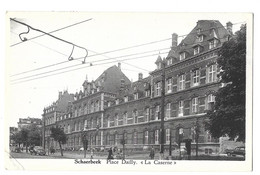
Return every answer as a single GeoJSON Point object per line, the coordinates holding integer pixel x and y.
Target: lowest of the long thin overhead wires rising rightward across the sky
{"type": "Point", "coordinates": [83, 68]}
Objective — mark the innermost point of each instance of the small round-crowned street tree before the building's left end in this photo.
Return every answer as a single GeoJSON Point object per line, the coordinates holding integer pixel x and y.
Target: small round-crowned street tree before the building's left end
{"type": "Point", "coordinates": [58, 135]}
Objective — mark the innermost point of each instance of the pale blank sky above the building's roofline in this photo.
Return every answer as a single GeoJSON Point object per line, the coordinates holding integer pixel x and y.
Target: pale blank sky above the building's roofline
{"type": "Point", "coordinates": [28, 93]}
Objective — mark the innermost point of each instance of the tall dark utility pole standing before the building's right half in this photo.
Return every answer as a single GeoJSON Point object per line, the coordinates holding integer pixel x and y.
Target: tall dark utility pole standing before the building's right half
{"type": "Point", "coordinates": [162, 108]}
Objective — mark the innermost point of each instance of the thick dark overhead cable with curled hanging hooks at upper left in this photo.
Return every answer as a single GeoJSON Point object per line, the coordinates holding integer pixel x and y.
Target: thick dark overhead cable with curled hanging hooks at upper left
{"type": "Point", "coordinates": [38, 30]}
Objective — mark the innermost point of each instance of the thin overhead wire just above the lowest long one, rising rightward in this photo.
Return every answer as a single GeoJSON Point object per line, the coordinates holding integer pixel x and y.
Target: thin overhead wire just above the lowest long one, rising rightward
{"type": "Point", "coordinates": [89, 63]}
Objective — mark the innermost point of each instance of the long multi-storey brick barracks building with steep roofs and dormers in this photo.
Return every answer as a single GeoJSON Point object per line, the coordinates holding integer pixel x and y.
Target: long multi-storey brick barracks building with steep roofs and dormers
{"type": "Point", "coordinates": [111, 108]}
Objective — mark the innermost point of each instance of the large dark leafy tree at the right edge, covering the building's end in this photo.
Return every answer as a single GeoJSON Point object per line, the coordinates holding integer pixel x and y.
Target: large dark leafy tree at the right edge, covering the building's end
{"type": "Point", "coordinates": [227, 118]}
